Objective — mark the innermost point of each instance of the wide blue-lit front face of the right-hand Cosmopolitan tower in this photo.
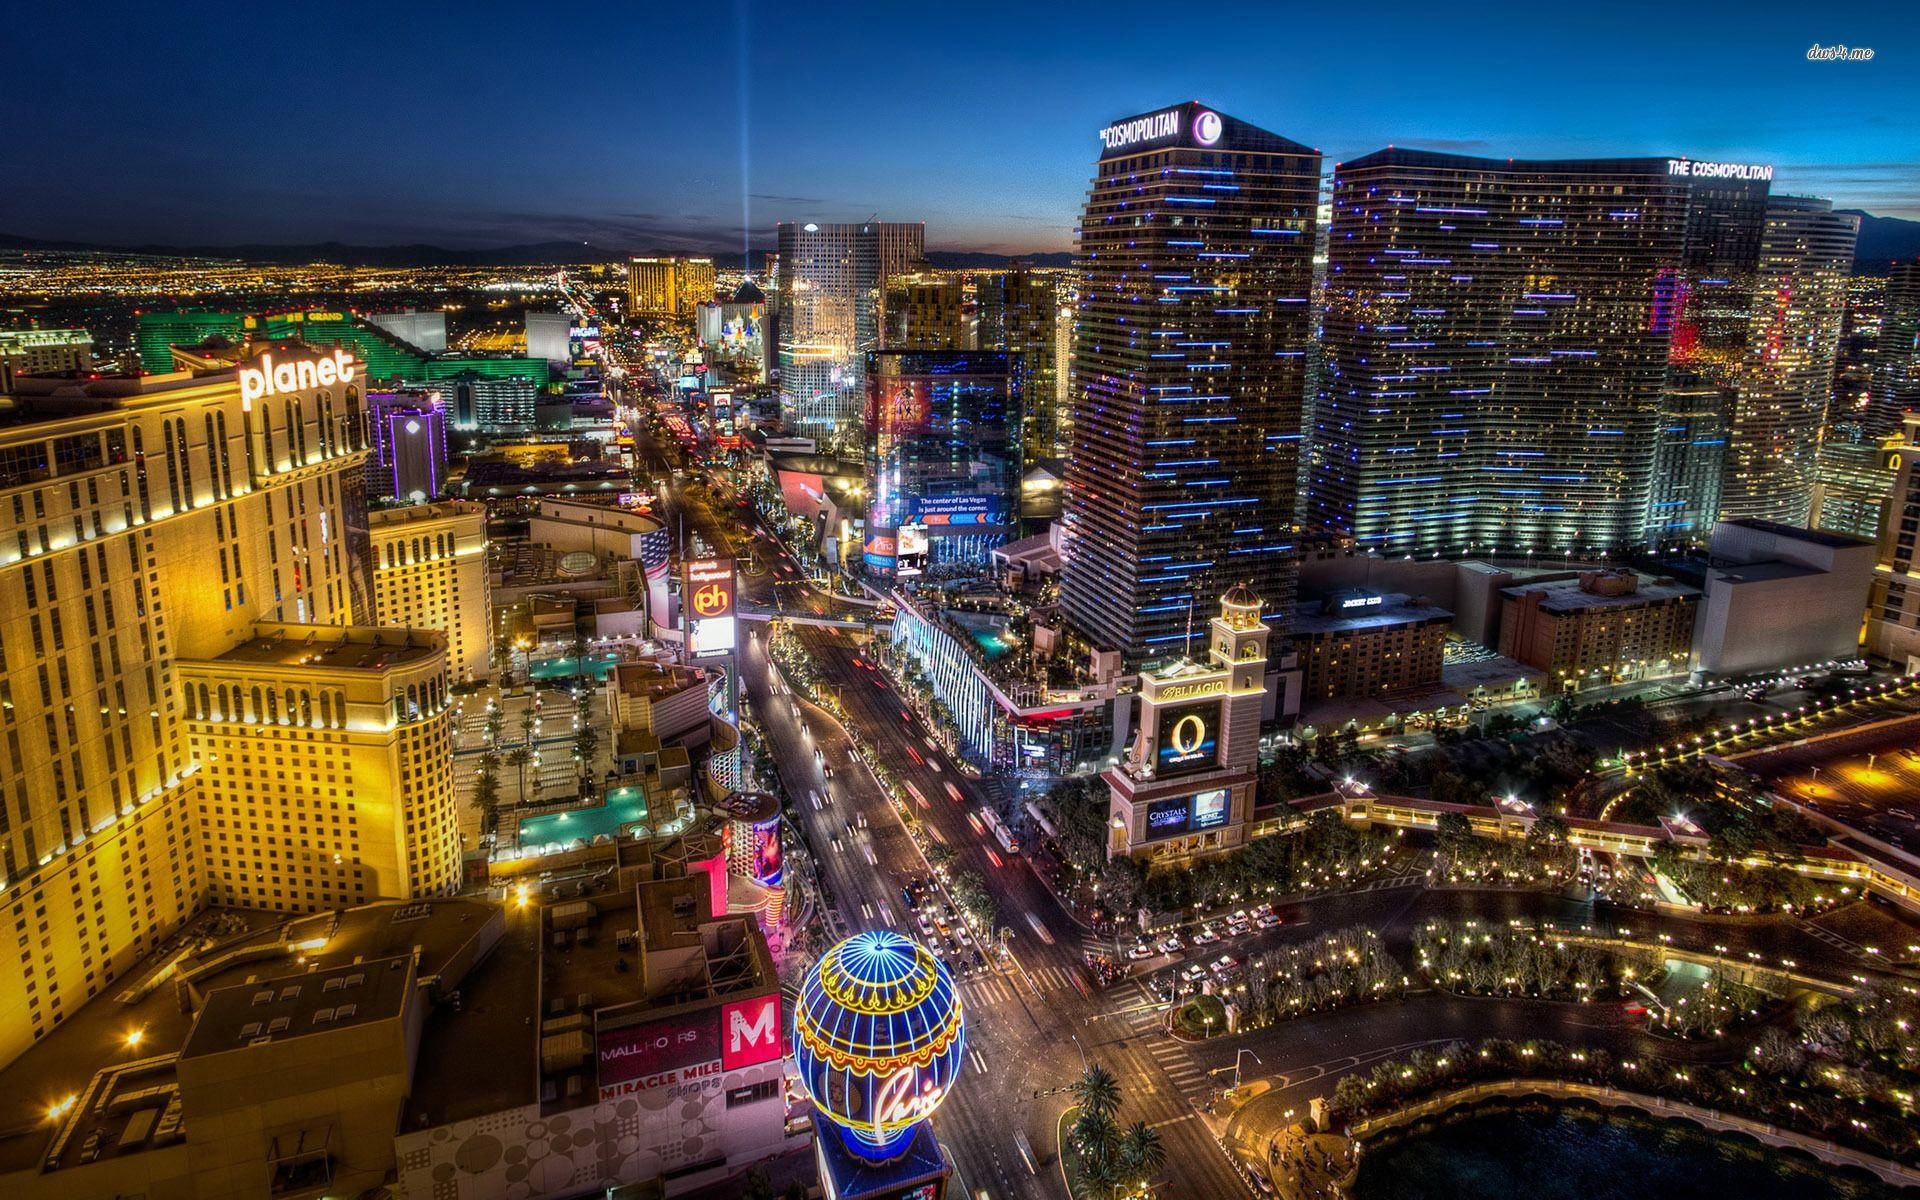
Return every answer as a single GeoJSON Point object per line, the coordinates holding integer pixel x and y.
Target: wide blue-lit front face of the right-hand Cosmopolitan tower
{"type": "Point", "coordinates": [1497, 347]}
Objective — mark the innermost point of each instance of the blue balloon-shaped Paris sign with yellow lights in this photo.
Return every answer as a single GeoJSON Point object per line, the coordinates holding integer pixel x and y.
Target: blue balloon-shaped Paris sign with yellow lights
{"type": "Point", "coordinates": [878, 1038]}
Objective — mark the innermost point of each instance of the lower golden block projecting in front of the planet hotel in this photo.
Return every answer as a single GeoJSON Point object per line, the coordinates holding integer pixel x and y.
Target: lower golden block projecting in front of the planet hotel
{"type": "Point", "coordinates": [325, 767]}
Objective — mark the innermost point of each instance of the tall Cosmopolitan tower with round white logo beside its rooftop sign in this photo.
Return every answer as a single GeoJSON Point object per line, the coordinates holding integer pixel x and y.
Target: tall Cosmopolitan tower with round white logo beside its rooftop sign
{"type": "Point", "coordinates": [1189, 360]}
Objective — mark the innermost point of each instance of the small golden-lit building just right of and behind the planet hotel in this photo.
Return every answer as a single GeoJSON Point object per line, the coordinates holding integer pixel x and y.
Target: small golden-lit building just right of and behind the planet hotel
{"type": "Point", "coordinates": [429, 573]}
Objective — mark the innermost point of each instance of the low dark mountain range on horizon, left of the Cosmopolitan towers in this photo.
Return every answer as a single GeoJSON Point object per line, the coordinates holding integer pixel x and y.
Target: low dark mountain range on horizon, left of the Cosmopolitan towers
{"type": "Point", "coordinates": [535, 254]}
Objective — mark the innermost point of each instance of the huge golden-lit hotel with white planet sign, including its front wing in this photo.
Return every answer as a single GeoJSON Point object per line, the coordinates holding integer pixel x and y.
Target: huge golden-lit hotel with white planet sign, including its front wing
{"type": "Point", "coordinates": [187, 709]}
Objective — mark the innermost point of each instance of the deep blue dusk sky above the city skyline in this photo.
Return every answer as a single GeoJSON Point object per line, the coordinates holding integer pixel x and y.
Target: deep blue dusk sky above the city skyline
{"type": "Point", "coordinates": [635, 126]}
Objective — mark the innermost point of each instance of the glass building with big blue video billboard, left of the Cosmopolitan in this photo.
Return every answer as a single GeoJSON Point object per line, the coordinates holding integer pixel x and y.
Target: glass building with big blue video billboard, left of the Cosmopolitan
{"type": "Point", "coordinates": [942, 456]}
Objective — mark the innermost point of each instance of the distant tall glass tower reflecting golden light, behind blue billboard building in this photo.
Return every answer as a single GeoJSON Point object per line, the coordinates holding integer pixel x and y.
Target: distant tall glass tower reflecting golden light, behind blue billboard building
{"type": "Point", "coordinates": [830, 316]}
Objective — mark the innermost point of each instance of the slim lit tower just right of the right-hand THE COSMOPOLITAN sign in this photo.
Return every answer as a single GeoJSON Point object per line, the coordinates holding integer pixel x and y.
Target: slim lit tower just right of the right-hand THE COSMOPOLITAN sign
{"type": "Point", "coordinates": [1798, 310]}
